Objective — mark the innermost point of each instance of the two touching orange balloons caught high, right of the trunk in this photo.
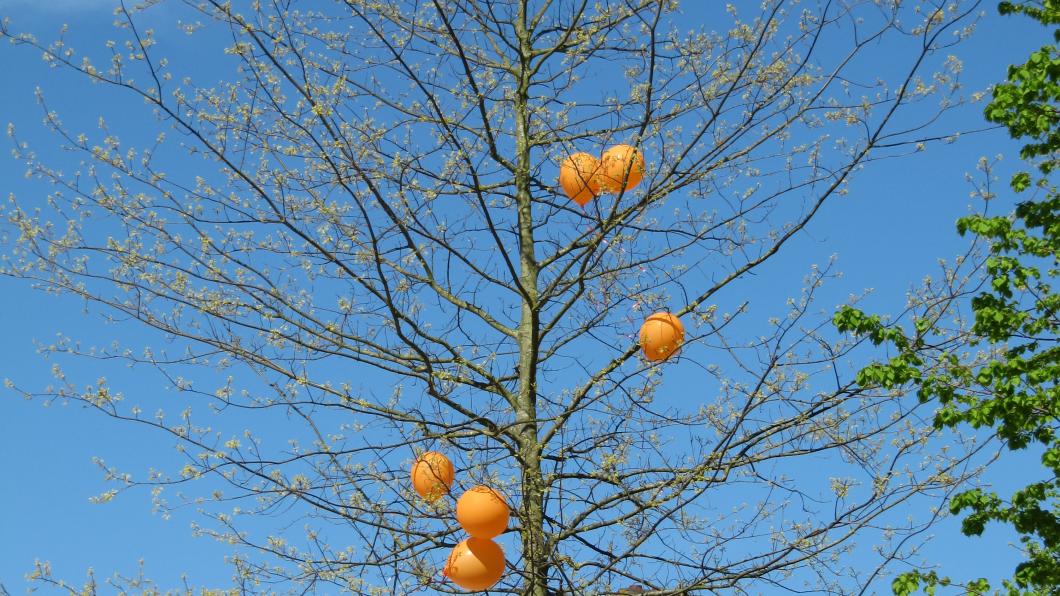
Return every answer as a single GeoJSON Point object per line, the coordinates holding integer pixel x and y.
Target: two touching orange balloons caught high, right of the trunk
{"type": "Point", "coordinates": [585, 178]}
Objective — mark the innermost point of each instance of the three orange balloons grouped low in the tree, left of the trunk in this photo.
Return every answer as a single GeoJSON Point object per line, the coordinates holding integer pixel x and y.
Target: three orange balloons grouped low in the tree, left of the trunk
{"type": "Point", "coordinates": [478, 563]}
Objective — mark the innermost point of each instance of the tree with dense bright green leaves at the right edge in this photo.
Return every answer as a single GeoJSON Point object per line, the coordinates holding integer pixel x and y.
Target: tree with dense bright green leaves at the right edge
{"type": "Point", "coordinates": [1011, 385]}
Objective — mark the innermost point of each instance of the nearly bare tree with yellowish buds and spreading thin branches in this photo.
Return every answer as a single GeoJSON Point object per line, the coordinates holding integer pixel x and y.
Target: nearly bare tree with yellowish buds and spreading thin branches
{"type": "Point", "coordinates": [368, 200]}
